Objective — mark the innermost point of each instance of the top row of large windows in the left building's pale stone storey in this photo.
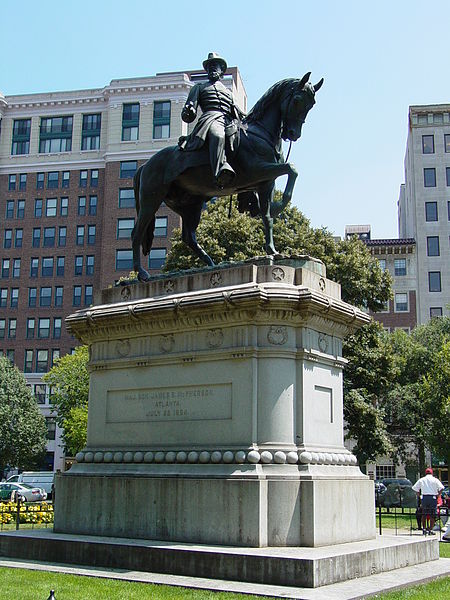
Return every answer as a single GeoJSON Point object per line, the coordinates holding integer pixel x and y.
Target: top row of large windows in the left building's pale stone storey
{"type": "Point", "coordinates": [55, 134]}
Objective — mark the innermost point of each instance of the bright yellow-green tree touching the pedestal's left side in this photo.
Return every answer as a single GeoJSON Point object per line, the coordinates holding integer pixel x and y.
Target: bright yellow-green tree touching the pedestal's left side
{"type": "Point", "coordinates": [69, 379]}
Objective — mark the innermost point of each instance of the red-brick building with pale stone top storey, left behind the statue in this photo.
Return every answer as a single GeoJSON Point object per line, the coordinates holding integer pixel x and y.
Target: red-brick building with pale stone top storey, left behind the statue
{"type": "Point", "coordinates": [67, 161]}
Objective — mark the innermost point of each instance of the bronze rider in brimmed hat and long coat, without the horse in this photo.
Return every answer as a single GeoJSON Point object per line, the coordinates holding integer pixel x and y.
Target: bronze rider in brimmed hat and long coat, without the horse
{"type": "Point", "coordinates": [219, 118]}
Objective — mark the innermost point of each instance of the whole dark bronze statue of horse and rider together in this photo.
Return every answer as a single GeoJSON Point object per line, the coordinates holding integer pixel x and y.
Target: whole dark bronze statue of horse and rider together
{"type": "Point", "coordinates": [226, 153]}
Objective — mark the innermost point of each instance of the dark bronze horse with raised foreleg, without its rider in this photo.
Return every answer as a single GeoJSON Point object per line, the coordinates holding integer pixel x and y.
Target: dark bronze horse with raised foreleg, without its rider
{"type": "Point", "coordinates": [184, 180]}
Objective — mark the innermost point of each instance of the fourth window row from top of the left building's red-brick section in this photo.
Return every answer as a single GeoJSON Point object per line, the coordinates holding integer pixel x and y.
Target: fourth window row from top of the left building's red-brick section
{"type": "Point", "coordinates": [49, 265]}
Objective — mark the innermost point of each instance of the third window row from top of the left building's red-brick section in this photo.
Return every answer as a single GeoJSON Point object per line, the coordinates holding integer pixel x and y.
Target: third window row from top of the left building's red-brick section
{"type": "Point", "coordinates": [84, 233]}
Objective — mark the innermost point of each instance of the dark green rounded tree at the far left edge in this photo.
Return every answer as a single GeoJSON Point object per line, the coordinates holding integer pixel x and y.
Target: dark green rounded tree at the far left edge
{"type": "Point", "coordinates": [23, 432]}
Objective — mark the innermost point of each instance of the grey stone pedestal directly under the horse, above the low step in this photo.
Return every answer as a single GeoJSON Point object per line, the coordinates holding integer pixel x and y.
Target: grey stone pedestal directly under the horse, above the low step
{"type": "Point", "coordinates": [215, 411]}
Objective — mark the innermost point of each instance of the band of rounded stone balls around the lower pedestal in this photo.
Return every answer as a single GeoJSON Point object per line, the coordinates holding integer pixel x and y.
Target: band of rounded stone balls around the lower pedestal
{"type": "Point", "coordinates": [219, 456]}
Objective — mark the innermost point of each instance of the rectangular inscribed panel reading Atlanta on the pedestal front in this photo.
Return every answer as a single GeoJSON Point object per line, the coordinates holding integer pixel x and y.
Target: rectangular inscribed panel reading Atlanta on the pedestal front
{"type": "Point", "coordinates": [187, 403]}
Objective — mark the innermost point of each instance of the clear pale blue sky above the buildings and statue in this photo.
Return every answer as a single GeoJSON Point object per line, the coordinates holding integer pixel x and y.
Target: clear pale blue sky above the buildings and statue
{"type": "Point", "coordinates": [376, 58]}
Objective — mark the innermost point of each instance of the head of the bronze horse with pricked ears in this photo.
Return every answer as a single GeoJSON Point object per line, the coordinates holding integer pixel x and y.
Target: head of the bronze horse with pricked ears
{"type": "Point", "coordinates": [296, 106]}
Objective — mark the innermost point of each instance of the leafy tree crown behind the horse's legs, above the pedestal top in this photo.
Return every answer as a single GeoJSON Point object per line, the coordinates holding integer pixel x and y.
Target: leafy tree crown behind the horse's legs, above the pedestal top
{"type": "Point", "coordinates": [241, 237]}
